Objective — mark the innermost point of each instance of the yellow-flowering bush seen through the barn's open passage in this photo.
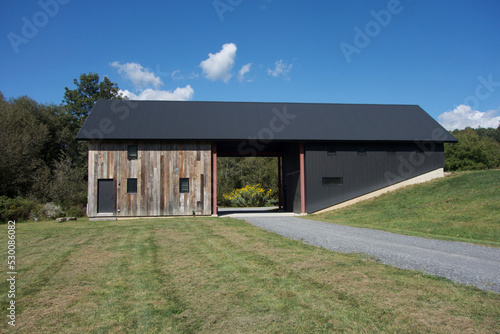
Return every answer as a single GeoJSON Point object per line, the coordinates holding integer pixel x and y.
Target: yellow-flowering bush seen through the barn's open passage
{"type": "Point", "coordinates": [250, 196]}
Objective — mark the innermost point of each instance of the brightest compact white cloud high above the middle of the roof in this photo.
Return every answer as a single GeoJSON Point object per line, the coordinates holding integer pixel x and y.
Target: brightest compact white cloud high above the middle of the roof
{"type": "Point", "coordinates": [218, 66]}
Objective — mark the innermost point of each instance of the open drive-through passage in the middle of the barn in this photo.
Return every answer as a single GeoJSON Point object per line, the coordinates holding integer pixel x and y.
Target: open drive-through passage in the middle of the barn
{"type": "Point", "coordinates": [260, 179]}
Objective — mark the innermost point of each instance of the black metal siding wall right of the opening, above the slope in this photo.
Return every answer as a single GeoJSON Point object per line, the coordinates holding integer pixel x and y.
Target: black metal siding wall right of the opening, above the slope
{"type": "Point", "coordinates": [362, 174]}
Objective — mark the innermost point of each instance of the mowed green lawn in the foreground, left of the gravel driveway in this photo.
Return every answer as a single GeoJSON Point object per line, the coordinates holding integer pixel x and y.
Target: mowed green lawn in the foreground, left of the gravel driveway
{"type": "Point", "coordinates": [198, 275]}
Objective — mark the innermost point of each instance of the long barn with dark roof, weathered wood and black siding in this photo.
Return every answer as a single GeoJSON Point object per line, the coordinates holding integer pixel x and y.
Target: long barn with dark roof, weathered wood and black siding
{"type": "Point", "coordinates": [159, 158]}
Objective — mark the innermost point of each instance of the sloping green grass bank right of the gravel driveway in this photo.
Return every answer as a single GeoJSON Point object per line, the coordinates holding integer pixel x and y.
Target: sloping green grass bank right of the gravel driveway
{"type": "Point", "coordinates": [464, 206]}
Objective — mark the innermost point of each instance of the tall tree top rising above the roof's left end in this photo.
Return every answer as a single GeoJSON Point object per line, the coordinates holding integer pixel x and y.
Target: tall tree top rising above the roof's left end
{"type": "Point", "coordinates": [80, 101]}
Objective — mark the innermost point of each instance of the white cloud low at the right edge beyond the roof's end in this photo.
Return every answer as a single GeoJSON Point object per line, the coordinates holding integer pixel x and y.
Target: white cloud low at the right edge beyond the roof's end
{"type": "Point", "coordinates": [463, 116]}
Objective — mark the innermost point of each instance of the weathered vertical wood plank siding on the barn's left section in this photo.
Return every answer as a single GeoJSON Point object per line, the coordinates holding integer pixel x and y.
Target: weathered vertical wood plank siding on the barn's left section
{"type": "Point", "coordinates": [158, 169]}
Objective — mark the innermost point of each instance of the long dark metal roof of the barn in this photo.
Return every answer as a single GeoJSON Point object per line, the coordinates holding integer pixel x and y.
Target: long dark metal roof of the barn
{"type": "Point", "coordinates": [194, 120]}
